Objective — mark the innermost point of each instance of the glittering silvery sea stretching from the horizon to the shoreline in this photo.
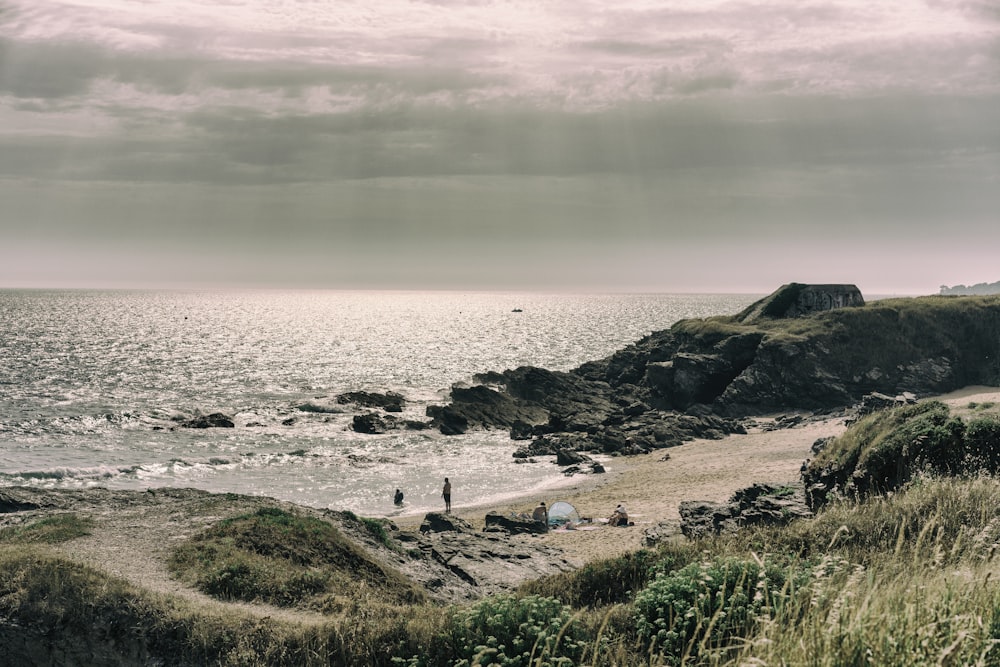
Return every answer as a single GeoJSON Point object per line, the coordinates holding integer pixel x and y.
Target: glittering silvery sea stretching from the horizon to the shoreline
{"type": "Point", "coordinates": [92, 383]}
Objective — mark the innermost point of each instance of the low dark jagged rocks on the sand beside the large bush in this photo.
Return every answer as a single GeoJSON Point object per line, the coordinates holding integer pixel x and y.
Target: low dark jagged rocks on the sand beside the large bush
{"type": "Point", "coordinates": [759, 504]}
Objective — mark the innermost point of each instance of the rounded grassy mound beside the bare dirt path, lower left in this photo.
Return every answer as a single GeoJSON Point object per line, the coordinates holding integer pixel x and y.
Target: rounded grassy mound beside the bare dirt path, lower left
{"type": "Point", "coordinates": [280, 558]}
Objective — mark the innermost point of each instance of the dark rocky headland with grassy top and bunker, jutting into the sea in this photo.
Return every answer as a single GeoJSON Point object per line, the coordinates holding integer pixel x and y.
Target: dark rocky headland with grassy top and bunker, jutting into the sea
{"type": "Point", "coordinates": [801, 348]}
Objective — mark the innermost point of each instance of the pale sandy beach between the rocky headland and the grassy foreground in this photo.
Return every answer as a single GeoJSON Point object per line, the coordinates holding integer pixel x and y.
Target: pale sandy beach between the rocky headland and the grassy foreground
{"type": "Point", "coordinates": [652, 488]}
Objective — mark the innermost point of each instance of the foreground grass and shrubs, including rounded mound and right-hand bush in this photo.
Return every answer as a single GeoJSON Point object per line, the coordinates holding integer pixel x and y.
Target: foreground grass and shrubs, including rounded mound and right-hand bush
{"type": "Point", "coordinates": [900, 576]}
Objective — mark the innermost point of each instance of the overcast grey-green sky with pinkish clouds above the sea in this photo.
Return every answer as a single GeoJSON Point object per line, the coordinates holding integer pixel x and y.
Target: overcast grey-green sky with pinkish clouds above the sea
{"type": "Point", "coordinates": [678, 146]}
